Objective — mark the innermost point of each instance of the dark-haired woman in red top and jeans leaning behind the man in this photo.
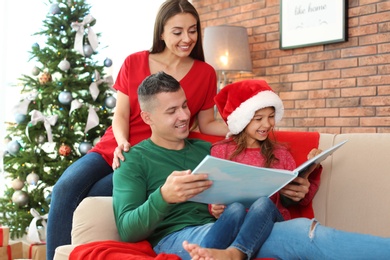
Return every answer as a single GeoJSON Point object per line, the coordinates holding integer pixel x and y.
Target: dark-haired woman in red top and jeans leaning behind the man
{"type": "Point", "coordinates": [176, 50]}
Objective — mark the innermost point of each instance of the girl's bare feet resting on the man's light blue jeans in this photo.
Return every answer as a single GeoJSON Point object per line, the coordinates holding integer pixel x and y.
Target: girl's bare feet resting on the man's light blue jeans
{"type": "Point", "coordinates": [199, 253]}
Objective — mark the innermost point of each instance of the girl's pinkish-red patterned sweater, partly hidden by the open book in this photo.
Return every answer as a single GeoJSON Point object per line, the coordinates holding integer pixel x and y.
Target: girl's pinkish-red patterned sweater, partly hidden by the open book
{"type": "Point", "coordinates": [252, 156]}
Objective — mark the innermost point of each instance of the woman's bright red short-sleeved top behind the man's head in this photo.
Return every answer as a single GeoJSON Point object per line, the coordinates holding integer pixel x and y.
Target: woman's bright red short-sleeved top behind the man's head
{"type": "Point", "coordinates": [199, 85]}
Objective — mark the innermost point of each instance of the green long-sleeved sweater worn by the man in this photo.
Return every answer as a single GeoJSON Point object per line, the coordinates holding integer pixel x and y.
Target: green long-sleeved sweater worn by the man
{"type": "Point", "coordinates": [140, 211]}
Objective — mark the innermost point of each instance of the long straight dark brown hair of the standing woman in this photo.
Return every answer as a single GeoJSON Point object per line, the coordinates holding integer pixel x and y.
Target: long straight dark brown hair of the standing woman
{"type": "Point", "coordinates": [171, 8]}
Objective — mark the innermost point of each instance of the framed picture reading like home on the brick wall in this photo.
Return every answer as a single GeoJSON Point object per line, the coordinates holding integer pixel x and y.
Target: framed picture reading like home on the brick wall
{"type": "Point", "coordinates": [312, 22]}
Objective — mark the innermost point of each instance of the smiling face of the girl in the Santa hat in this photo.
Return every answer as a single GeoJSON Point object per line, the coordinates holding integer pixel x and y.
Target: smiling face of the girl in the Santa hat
{"type": "Point", "coordinates": [260, 126]}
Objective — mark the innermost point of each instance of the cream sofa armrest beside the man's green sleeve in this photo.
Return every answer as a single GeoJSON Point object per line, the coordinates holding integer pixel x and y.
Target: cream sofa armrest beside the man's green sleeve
{"type": "Point", "coordinates": [93, 220]}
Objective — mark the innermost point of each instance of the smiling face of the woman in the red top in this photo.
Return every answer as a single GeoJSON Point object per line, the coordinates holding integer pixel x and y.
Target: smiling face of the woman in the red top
{"type": "Point", "coordinates": [180, 34]}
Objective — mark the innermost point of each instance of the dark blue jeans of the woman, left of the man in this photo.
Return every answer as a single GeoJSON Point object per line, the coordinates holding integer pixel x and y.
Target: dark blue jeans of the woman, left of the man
{"type": "Point", "coordinates": [88, 176]}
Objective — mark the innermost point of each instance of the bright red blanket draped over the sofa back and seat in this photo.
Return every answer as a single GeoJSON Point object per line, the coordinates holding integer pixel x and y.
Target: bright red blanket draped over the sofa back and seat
{"type": "Point", "coordinates": [300, 144]}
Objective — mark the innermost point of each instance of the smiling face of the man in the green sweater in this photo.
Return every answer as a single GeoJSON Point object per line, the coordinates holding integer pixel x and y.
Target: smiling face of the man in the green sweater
{"type": "Point", "coordinates": [169, 119]}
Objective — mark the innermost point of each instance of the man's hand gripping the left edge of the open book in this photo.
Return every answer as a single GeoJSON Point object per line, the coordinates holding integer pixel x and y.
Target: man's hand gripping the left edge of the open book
{"type": "Point", "coordinates": [182, 185]}
